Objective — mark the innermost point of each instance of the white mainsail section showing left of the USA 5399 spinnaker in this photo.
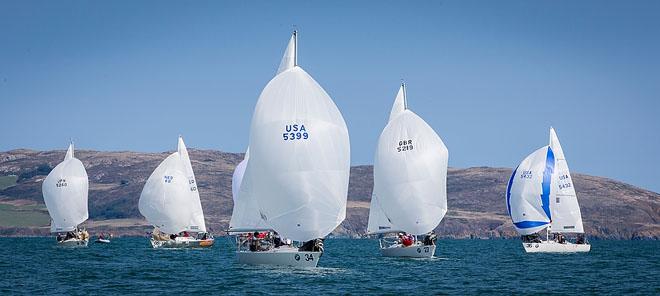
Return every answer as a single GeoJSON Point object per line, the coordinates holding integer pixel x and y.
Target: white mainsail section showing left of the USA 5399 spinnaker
{"type": "Point", "coordinates": [245, 215]}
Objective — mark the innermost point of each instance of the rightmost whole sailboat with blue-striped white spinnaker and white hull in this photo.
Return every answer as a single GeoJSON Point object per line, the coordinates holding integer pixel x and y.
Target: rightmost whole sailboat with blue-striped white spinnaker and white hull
{"type": "Point", "coordinates": [540, 195]}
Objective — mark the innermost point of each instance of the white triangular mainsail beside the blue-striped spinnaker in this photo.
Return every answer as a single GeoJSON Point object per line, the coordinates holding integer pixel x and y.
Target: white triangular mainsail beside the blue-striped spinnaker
{"type": "Point", "coordinates": [566, 216]}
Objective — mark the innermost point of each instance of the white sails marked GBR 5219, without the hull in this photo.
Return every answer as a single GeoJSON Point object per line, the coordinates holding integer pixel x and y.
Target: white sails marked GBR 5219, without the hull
{"type": "Point", "coordinates": [410, 172]}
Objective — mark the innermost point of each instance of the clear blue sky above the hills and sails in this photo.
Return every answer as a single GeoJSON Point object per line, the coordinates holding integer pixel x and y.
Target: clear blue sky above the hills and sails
{"type": "Point", "coordinates": [489, 76]}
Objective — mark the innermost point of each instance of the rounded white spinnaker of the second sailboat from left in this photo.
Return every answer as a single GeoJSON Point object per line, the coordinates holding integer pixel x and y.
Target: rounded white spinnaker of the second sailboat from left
{"type": "Point", "coordinates": [166, 200]}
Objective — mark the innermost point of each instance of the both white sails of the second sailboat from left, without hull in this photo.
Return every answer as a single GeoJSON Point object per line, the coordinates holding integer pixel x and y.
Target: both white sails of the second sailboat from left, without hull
{"type": "Point", "coordinates": [169, 199]}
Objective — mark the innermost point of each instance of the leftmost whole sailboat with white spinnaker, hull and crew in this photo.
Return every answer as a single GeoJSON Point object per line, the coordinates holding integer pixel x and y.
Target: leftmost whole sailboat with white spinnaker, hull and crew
{"type": "Point", "coordinates": [65, 192]}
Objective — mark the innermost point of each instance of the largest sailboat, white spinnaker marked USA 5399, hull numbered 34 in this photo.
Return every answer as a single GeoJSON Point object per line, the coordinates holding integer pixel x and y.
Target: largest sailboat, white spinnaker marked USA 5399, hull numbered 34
{"type": "Point", "coordinates": [294, 185]}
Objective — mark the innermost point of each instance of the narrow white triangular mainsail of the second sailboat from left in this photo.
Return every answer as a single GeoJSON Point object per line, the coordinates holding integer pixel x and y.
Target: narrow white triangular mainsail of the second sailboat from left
{"type": "Point", "coordinates": [197, 223]}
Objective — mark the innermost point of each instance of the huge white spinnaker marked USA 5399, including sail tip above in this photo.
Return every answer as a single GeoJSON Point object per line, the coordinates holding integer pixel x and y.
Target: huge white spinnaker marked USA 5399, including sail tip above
{"type": "Point", "coordinates": [299, 155]}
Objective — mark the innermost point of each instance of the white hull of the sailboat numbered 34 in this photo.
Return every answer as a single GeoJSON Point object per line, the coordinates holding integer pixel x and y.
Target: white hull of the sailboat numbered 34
{"type": "Point", "coordinates": [282, 256]}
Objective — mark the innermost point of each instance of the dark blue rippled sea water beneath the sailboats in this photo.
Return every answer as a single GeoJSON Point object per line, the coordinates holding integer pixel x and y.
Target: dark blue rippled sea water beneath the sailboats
{"type": "Point", "coordinates": [131, 266]}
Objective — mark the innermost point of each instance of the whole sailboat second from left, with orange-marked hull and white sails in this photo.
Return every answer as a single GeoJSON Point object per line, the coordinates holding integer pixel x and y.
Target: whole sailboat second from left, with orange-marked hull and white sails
{"type": "Point", "coordinates": [170, 202]}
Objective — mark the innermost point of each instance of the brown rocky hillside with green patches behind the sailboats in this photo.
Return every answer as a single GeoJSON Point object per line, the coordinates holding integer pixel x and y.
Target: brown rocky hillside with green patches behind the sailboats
{"type": "Point", "coordinates": [610, 209]}
